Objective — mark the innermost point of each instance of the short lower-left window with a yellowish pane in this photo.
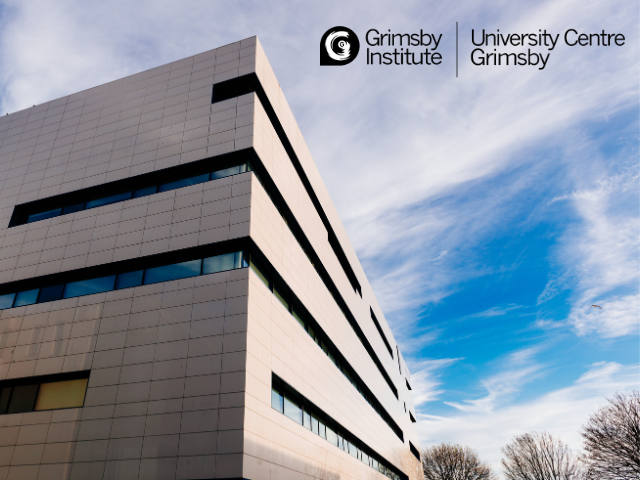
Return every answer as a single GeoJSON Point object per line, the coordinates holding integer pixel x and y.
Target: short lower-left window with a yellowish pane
{"type": "Point", "coordinates": [51, 392]}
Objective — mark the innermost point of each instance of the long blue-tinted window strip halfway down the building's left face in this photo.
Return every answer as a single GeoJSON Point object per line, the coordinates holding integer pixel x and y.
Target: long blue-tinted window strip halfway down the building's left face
{"type": "Point", "coordinates": [164, 273]}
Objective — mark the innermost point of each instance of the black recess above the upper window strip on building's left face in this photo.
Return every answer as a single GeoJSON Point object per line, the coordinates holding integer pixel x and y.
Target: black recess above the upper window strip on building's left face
{"type": "Point", "coordinates": [22, 212]}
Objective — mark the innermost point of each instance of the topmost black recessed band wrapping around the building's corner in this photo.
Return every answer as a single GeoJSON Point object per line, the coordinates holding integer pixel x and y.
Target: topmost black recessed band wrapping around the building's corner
{"type": "Point", "coordinates": [249, 84]}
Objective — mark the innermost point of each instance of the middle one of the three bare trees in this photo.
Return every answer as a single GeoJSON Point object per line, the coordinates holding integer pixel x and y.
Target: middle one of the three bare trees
{"type": "Point", "coordinates": [535, 456]}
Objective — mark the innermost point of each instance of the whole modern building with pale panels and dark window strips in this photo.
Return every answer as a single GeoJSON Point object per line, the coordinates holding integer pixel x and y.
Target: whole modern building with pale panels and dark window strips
{"type": "Point", "coordinates": [178, 297]}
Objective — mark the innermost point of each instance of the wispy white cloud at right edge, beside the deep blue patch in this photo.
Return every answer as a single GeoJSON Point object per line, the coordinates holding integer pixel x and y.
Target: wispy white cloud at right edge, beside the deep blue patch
{"type": "Point", "coordinates": [599, 258]}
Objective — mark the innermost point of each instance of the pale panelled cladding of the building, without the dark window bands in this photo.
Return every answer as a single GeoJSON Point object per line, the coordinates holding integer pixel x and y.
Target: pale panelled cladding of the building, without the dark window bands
{"type": "Point", "coordinates": [166, 397]}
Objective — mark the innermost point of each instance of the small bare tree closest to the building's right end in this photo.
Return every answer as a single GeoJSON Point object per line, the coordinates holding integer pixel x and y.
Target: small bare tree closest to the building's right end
{"type": "Point", "coordinates": [453, 462]}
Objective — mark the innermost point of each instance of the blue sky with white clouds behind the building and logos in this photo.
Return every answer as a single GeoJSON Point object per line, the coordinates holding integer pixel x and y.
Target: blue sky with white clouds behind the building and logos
{"type": "Point", "coordinates": [489, 210]}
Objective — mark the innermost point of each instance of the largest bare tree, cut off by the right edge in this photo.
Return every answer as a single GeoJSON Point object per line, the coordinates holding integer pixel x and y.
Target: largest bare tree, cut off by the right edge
{"type": "Point", "coordinates": [612, 439]}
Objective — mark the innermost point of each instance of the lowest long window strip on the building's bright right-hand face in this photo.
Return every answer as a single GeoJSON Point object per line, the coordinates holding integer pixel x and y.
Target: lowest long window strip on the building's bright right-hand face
{"type": "Point", "coordinates": [286, 400]}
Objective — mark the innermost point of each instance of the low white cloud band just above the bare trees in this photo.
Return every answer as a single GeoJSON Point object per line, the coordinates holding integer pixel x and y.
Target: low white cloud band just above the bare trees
{"type": "Point", "coordinates": [560, 412]}
